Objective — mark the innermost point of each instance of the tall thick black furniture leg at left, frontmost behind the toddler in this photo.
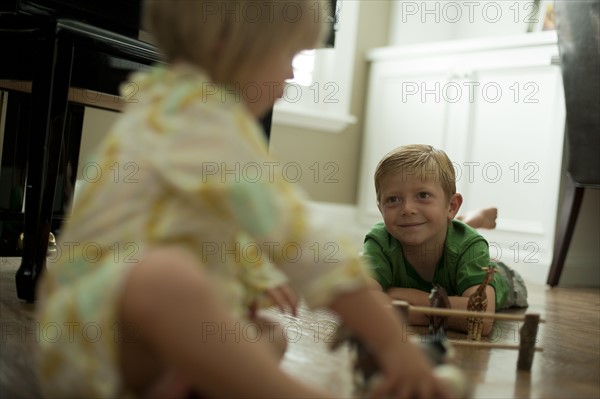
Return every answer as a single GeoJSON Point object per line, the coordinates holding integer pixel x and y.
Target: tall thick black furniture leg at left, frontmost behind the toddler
{"type": "Point", "coordinates": [49, 103]}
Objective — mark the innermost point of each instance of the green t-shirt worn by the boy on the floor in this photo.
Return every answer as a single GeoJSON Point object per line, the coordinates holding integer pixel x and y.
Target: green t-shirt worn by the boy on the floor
{"type": "Point", "coordinates": [465, 253]}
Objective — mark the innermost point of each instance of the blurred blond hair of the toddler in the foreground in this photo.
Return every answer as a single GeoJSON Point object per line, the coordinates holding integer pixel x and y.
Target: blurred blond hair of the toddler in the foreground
{"type": "Point", "coordinates": [241, 31]}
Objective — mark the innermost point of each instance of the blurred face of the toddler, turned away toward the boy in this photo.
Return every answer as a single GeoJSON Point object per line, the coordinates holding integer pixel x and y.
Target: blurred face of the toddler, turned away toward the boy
{"type": "Point", "coordinates": [265, 84]}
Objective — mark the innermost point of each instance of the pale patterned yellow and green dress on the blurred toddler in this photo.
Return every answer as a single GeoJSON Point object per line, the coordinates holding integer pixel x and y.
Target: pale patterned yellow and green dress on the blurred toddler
{"type": "Point", "coordinates": [184, 164]}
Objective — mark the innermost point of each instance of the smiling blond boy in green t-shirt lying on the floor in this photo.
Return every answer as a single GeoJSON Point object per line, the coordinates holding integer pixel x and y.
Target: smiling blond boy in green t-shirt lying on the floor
{"type": "Point", "coordinates": [420, 243]}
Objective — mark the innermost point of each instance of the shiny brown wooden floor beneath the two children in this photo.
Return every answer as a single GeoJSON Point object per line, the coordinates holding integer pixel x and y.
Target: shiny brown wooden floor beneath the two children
{"type": "Point", "coordinates": [568, 367]}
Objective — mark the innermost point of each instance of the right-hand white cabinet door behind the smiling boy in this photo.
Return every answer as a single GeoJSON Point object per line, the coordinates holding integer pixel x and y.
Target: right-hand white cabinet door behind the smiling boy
{"type": "Point", "coordinates": [515, 148]}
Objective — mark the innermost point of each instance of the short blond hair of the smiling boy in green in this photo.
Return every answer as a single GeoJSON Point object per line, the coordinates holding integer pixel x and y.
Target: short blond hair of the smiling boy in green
{"type": "Point", "coordinates": [418, 160]}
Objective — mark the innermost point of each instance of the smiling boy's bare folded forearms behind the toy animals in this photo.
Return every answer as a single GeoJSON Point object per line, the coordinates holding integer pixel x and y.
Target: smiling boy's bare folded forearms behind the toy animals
{"type": "Point", "coordinates": [421, 298]}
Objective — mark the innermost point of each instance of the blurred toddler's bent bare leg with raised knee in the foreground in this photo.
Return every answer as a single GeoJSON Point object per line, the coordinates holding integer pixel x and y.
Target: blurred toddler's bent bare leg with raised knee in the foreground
{"type": "Point", "coordinates": [176, 311]}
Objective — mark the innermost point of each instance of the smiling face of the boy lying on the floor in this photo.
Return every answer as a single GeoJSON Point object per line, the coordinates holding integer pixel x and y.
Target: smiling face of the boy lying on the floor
{"type": "Point", "coordinates": [415, 210]}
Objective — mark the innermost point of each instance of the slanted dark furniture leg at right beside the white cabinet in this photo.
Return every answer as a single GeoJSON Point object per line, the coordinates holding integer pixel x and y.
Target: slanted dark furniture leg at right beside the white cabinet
{"type": "Point", "coordinates": [573, 198]}
